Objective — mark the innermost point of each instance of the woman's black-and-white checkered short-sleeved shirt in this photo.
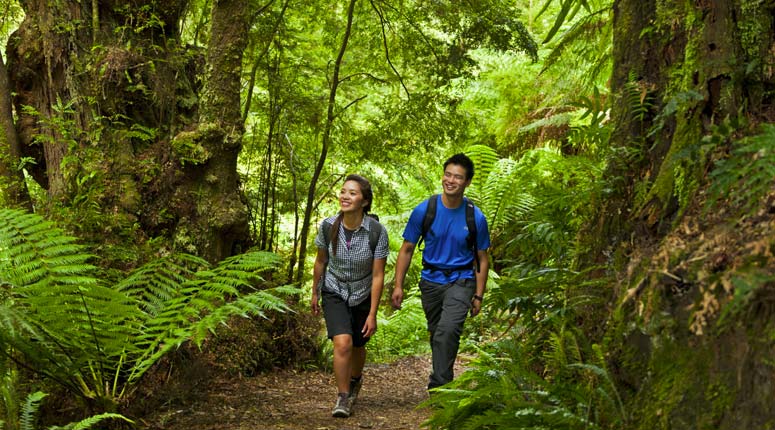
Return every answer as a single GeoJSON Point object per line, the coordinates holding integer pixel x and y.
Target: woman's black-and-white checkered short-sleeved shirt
{"type": "Point", "coordinates": [349, 271]}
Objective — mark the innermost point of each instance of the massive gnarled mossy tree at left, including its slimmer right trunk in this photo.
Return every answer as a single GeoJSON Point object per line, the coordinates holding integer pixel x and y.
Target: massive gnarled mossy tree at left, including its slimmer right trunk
{"type": "Point", "coordinates": [134, 133]}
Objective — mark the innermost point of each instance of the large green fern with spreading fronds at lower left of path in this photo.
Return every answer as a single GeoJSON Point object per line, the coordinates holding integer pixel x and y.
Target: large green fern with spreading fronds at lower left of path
{"type": "Point", "coordinates": [99, 341]}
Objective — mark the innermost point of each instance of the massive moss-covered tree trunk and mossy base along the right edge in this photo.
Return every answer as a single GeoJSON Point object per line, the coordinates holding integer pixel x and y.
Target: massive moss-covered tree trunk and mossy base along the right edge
{"type": "Point", "coordinates": [681, 69]}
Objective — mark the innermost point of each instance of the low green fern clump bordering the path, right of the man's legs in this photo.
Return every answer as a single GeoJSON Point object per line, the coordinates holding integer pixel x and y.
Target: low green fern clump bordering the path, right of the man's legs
{"type": "Point", "coordinates": [543, 375]}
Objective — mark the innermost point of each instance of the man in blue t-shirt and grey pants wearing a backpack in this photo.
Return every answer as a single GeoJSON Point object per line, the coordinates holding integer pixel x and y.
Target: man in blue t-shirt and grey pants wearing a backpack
{"type": "Point", "coordinates": [450, 284]}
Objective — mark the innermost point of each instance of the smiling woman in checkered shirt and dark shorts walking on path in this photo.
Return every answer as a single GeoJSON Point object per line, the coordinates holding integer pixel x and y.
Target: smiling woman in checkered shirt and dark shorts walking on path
{"type": "Point", "coordinates": [349, 275]}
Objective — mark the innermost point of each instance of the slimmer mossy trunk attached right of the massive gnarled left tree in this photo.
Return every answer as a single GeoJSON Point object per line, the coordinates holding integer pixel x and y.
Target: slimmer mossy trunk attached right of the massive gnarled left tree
{"type": "Point", "coordinates": [219, 219]}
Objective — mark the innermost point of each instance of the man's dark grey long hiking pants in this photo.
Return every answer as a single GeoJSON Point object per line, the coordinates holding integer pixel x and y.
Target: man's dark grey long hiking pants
{"type": "Point", "coordinates": [446, 307]}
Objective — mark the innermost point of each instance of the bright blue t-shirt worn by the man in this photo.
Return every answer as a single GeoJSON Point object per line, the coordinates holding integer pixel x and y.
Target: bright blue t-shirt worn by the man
{"type": "Point", "coordinates": [445, 243]}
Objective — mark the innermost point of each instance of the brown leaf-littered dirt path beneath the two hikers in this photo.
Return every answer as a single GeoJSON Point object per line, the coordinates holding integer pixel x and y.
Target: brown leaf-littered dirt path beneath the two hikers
{"type": "Point", "coordinates": [299, 399]}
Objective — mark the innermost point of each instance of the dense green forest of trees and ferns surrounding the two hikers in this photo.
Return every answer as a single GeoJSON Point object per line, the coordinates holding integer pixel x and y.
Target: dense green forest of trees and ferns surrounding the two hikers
{"type": "Point", "coordinates": [164, 167]}
